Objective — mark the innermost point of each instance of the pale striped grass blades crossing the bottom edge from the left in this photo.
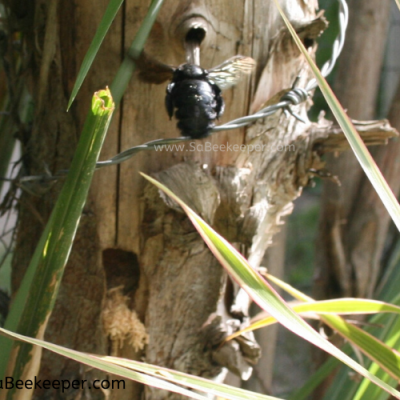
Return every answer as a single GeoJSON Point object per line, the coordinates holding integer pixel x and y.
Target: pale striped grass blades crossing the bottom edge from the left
{"type": "Point", "coordinates": [162, 378]}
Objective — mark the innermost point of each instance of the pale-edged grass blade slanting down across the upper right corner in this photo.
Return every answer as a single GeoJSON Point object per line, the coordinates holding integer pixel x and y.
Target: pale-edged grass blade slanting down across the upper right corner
{"type": "Point", "coordinates": [360, 150]}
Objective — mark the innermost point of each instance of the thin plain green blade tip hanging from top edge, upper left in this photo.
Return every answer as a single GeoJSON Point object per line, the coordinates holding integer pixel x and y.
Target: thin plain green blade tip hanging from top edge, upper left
{"type": "Point", "coordinates": [105, 23]}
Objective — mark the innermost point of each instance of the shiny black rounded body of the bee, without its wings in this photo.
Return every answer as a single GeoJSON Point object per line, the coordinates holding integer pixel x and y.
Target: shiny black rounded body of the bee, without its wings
{"type": "Point", "coordinates": [197, 106]}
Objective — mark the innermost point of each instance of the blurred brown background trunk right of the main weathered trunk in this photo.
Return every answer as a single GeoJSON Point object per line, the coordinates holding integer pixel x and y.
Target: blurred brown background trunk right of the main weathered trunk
{"type": "Point", "coordinates": [352, 230]}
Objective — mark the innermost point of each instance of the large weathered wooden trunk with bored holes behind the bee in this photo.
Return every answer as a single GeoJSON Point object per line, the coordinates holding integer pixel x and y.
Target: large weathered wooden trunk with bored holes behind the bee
{"type": "Point", "coordinates": [134, 252]}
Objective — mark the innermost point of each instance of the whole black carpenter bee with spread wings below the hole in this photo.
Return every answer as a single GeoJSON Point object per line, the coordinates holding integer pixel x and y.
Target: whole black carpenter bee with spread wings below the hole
{"type": "Point", "coordinates": [194, 92]}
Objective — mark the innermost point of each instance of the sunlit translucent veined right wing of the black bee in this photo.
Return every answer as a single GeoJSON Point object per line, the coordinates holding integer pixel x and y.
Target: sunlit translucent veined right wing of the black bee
{"type": "Point", "coordinates": [231, 71]}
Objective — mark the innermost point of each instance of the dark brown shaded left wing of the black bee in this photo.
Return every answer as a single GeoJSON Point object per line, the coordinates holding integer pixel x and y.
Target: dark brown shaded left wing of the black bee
{"type": "Point", "coordinates": [151, 70]}
